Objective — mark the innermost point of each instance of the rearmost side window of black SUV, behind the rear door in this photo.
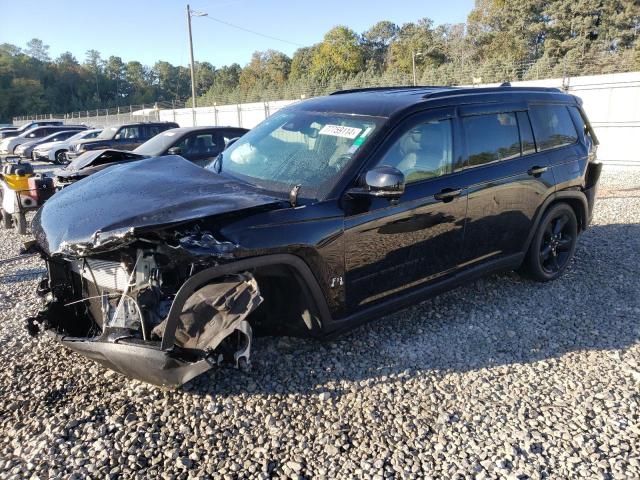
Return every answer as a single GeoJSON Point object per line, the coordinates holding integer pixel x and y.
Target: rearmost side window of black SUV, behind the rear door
{"type": "Point", "coordinates": [552, 126]}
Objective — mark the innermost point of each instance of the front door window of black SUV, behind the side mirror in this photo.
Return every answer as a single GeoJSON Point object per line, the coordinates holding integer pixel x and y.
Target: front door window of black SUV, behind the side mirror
{"type": "Point", "coordinates": [424, 151]}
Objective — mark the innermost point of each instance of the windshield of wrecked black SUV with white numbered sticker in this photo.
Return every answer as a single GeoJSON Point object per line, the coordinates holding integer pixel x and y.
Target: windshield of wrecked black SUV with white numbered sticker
{"type": "Point", "coordinates": [295, 147]}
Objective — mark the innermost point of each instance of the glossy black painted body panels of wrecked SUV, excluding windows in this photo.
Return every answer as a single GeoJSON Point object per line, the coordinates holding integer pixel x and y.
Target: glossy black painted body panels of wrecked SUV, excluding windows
{"type": "Point", "coordinates": [358, 258]}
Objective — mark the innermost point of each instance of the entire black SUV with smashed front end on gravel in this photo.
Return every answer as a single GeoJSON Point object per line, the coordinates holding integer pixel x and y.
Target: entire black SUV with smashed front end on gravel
{"type": "Point", "coordinates": [330, 212]}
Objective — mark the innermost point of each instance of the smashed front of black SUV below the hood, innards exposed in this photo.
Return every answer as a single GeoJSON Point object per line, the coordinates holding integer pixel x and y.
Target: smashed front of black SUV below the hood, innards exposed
{"type": "Point", "coordinates": [114, 306]}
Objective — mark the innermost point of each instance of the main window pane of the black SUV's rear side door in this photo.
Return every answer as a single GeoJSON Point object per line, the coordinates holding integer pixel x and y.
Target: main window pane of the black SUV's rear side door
{"type": "Point", "coordinates": [491, 137]}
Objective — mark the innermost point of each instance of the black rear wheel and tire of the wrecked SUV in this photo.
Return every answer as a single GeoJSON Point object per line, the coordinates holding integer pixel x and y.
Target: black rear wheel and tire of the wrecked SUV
{"type": "Point", "coordinates": [553, 244]}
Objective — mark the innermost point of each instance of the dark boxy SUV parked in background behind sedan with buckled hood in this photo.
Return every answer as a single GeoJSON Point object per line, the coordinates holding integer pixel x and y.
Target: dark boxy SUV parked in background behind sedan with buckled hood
{"type": "Point", "coordinates": [123, 137]}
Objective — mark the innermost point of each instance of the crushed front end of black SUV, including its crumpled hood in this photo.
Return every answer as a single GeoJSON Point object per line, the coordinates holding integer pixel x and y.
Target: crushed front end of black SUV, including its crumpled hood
{"type": "Point", "coordinates": [132, 255]}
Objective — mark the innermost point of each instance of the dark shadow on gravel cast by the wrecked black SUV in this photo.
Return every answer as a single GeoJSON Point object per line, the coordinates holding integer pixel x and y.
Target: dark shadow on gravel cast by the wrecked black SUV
{"type": "Point", "coordinates": [499, 320]}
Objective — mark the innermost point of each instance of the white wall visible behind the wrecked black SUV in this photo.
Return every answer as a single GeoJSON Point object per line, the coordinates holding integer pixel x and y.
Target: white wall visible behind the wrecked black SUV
{"type": "Point", "coordinates": [611, 101]}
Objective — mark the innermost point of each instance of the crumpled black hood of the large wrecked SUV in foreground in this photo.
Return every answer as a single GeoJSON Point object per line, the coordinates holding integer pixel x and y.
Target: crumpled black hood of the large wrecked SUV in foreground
{"type": "Point", "coordinates": [152, 192]}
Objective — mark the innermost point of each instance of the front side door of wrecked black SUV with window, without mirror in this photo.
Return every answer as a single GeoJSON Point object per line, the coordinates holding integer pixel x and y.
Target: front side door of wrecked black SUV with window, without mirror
{"type": "Point", "coordinates": [394, 245]}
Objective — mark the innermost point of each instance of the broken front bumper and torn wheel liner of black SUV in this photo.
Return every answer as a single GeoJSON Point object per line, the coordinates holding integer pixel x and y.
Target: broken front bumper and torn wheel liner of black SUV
{"type": "Point", "coordinates": [190, 342]}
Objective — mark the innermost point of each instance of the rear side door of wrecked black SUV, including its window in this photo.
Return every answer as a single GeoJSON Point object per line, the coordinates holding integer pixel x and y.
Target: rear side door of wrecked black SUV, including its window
{"type": "Point", "coordinates": [508, 181]}
